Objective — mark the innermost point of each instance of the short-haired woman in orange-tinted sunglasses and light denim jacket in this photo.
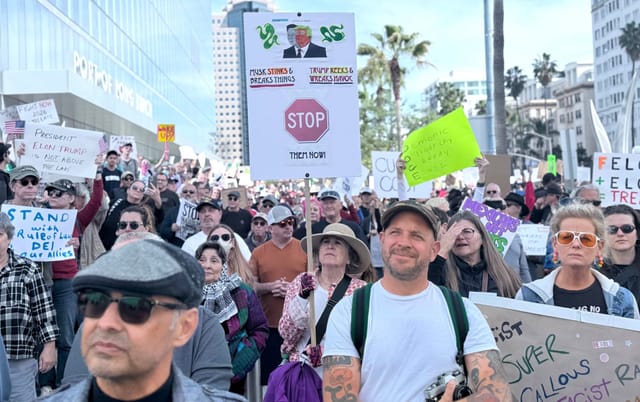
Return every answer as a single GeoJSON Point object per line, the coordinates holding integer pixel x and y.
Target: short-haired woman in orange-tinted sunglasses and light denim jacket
{"type": "Point", "coordinates": [578, 240]}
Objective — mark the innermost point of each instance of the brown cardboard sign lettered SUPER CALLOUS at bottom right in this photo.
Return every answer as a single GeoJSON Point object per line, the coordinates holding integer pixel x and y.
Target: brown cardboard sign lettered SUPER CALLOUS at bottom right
{"type": "Point", "coordinates": [564, 355]}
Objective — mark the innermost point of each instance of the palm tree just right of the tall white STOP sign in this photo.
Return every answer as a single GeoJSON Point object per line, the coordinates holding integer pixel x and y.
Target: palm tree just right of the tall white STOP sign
{"type": "Point", "coordinates": [390, 47]}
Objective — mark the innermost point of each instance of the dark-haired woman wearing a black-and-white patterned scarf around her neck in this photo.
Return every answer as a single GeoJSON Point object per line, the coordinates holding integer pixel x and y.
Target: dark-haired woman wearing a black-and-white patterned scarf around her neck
{"type": "Point", "coordinates": [237, 308]}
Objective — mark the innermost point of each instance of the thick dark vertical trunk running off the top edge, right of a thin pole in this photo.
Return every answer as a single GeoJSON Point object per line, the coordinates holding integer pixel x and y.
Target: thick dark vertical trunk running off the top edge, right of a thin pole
{"type": "Point", "coordinates": [500, 114]}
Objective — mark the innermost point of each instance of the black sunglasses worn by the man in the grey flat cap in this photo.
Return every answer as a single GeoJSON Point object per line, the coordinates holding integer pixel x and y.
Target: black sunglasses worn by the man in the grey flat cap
{"type": "Point", "coordinates": [132, 309]}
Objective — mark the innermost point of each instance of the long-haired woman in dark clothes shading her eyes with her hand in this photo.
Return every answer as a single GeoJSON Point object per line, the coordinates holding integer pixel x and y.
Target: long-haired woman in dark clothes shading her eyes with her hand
{"type": "Point", "coordinates": [473, 262]}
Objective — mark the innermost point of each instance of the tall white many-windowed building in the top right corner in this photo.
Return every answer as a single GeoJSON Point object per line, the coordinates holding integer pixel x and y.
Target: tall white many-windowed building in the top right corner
{"type": "Point", "coordinates": [612, 73]}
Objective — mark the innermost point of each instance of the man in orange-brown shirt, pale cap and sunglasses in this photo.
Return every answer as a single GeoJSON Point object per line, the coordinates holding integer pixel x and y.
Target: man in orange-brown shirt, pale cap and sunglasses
{"type": "Point", "coordinates": [275, 264]}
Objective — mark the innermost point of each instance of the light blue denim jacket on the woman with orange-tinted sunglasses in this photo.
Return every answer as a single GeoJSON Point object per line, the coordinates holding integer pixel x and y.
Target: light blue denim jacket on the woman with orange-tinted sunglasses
{"type": "Point", "coordinates": [620, 301]}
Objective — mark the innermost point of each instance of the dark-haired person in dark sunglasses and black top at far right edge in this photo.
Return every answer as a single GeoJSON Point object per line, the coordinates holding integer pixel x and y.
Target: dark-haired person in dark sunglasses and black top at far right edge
{"type": "Point", "coordinates": [621, 255]}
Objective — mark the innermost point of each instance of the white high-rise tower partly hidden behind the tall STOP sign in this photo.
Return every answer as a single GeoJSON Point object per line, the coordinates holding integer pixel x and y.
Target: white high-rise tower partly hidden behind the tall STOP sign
{"type": "Point", "coordinates": [232, 135]}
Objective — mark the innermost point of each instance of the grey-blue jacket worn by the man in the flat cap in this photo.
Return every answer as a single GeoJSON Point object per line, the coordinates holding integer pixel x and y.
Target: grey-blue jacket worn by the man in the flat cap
{"type": "Point", "coordinates": [184, 390]}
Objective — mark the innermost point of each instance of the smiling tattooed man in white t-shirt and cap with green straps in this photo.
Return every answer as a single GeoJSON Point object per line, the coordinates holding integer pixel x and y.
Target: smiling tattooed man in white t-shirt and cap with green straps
{"type": "Point", "coordinates": [410, 337]}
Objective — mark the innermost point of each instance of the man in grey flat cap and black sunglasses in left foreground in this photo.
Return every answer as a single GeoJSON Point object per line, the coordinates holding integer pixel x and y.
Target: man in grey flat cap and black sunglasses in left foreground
{"type": "Point", "coordinates": [139, 303]}
